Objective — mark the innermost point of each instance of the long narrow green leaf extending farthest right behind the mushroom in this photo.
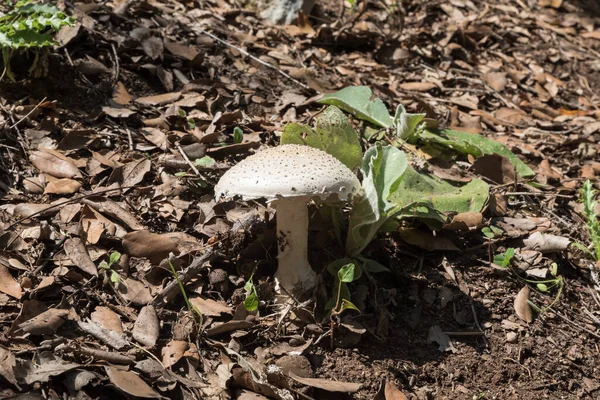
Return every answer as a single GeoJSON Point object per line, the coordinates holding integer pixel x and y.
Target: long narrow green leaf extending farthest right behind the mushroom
{"type": "Point", "coordinates": [475, 145]}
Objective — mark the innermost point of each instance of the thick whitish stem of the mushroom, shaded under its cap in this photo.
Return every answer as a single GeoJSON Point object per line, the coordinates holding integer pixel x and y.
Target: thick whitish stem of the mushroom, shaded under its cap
{"type": "Point", "coordinates": [294, 273]}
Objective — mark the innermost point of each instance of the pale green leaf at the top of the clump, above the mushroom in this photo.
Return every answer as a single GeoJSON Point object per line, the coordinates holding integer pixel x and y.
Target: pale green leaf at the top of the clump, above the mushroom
{"type": "Point", "coordinates": [358, 101]}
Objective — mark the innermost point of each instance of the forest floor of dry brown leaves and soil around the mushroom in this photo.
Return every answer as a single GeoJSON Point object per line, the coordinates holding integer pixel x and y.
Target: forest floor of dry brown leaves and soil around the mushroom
{"type": "Point", "coordinates": [136, 84]}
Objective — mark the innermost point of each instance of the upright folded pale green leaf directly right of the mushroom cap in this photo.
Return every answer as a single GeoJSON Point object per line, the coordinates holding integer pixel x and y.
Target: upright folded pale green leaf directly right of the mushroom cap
{"type": "Point", "coordinates": [382, 168]}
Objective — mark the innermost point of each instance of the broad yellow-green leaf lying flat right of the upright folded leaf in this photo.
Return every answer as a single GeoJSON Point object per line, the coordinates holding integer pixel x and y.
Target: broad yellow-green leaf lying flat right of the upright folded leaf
{"type": "Point", "coordinates": [432, 199]}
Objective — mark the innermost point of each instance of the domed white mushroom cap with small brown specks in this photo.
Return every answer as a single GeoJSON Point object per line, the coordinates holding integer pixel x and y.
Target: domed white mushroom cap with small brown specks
{"type": "Point", "coordinates": [288, 171]}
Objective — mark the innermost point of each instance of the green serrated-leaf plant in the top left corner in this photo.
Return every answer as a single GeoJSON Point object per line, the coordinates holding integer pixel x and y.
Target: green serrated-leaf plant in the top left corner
{"type": "Point", "coordinates": [30, 27]}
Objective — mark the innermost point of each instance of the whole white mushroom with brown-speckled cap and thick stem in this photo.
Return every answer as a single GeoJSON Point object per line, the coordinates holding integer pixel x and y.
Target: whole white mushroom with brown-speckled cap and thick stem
{"type": "Point", "coordinates": [289, 176]}
